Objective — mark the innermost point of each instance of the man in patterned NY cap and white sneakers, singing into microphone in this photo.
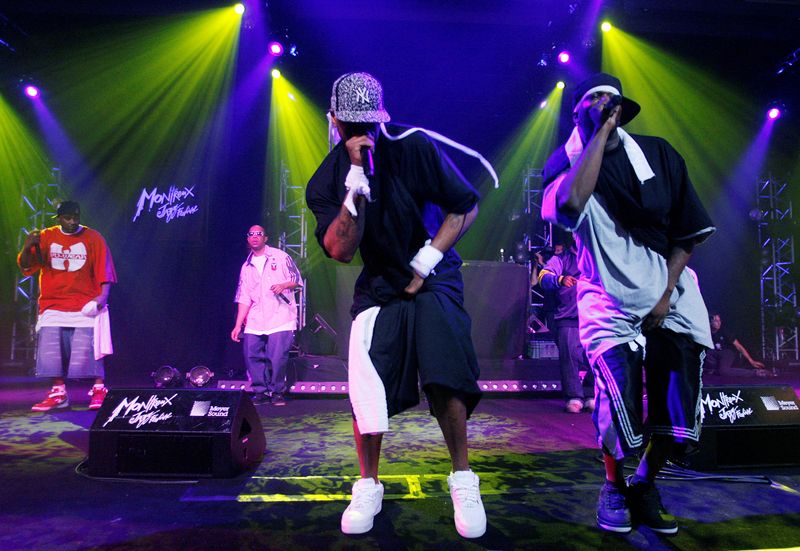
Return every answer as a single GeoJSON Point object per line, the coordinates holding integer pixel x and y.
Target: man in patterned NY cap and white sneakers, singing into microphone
{"type": "Point", "coordinates": [403, 212]}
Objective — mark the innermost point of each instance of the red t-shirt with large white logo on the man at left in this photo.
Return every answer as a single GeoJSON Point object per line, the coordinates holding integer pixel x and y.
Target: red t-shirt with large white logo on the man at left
{"type": "Point", "coordinates": [75, 265]}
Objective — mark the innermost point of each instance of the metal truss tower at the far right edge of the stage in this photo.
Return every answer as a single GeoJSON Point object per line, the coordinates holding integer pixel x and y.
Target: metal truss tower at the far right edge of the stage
{"type": "Point", "coordinates": [776, 228]}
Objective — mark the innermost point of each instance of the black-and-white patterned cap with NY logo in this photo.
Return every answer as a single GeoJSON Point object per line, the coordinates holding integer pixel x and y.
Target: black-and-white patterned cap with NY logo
{"type": "Point", "coordinates": [358, 97]}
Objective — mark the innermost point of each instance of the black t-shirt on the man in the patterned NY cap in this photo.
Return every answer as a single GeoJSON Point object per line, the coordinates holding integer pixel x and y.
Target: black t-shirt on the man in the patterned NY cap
{"type": "Point", "coordinates": [413, 188]}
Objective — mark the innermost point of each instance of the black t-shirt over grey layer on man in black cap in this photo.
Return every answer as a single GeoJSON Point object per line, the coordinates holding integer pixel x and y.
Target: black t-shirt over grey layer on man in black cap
{"type": "Point", "coordinates": [662, 211]}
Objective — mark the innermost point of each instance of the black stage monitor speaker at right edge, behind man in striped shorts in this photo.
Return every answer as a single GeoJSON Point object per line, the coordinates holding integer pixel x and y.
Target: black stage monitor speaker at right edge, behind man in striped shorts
{"type": "Point", "coordinates": [747, 426]}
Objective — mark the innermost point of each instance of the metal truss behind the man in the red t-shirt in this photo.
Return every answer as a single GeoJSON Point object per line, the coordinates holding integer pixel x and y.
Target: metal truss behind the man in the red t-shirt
{"type": "Point", "coordinates": [38, 202]}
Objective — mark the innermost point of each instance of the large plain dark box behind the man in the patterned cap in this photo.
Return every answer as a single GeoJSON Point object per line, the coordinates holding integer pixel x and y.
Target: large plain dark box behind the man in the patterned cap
{"type": "Point", "coordinates": [496, 295]}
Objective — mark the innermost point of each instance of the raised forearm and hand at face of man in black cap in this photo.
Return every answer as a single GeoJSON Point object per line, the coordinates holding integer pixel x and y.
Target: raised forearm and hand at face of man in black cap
{"type": "Point", "coordinates": [580, 181]}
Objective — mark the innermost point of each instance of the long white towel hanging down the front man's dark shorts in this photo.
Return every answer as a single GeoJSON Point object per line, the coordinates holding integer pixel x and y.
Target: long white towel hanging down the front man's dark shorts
{"type": "Point", "coordinates": [367, 393]}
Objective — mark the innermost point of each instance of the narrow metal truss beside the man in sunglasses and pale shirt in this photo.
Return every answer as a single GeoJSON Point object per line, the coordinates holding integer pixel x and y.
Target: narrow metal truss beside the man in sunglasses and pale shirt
{"type": "Point", "coordinates": [294, 231]}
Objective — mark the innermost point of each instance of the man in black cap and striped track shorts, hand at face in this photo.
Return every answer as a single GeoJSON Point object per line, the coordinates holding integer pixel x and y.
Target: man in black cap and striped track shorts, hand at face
{"type": "Point", "coordinates": [636, 219]}
